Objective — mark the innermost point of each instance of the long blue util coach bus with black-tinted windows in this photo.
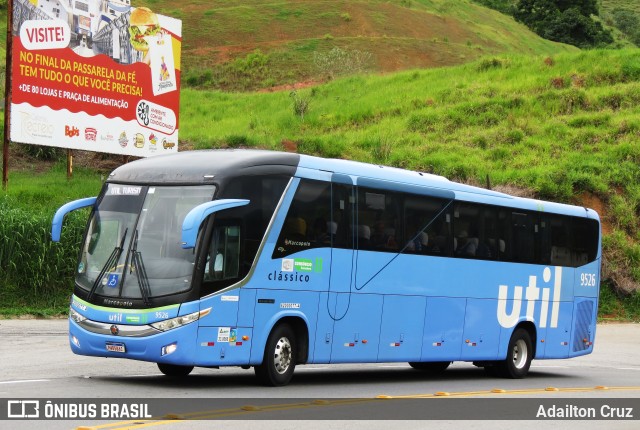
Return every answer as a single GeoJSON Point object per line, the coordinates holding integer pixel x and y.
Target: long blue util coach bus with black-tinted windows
{"type": "Point", "coordinates": [271, 260]}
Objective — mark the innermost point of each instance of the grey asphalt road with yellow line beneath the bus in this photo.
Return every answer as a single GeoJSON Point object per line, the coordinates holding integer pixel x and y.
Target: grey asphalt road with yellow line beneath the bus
{"type": "Point", "coordinates": [38, 364]}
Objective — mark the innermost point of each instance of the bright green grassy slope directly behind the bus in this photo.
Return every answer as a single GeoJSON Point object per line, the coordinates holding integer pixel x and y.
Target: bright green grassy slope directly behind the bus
{"type": "Point", "coordinates": [565, 128]}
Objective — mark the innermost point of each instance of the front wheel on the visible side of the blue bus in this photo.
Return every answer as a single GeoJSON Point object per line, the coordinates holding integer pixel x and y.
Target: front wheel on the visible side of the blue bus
{"type": "Point", "coordinates": [279, 359]}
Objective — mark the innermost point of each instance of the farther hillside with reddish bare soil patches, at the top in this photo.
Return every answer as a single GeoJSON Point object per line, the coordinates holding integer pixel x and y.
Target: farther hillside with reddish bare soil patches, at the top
{"type": "Point", "coordinates": [259, 44]}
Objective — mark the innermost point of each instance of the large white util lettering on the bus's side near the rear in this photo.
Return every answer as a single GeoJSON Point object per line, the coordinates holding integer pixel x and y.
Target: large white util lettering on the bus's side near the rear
{"type": "Point", "coordinates": [532, 296]}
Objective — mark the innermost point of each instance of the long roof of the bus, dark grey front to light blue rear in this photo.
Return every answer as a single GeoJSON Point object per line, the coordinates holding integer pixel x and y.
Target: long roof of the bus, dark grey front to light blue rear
{"type": "Point", "coordinates": [205, 165]}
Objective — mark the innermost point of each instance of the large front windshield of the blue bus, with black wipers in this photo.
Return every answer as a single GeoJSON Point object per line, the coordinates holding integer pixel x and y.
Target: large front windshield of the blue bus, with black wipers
{"type": "Point", "coordinates": [133, 246]}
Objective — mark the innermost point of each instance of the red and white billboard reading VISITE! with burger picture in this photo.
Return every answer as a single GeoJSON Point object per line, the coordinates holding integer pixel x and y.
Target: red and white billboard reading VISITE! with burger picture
{"type": "Point", "coordinates": [95, 75]}
